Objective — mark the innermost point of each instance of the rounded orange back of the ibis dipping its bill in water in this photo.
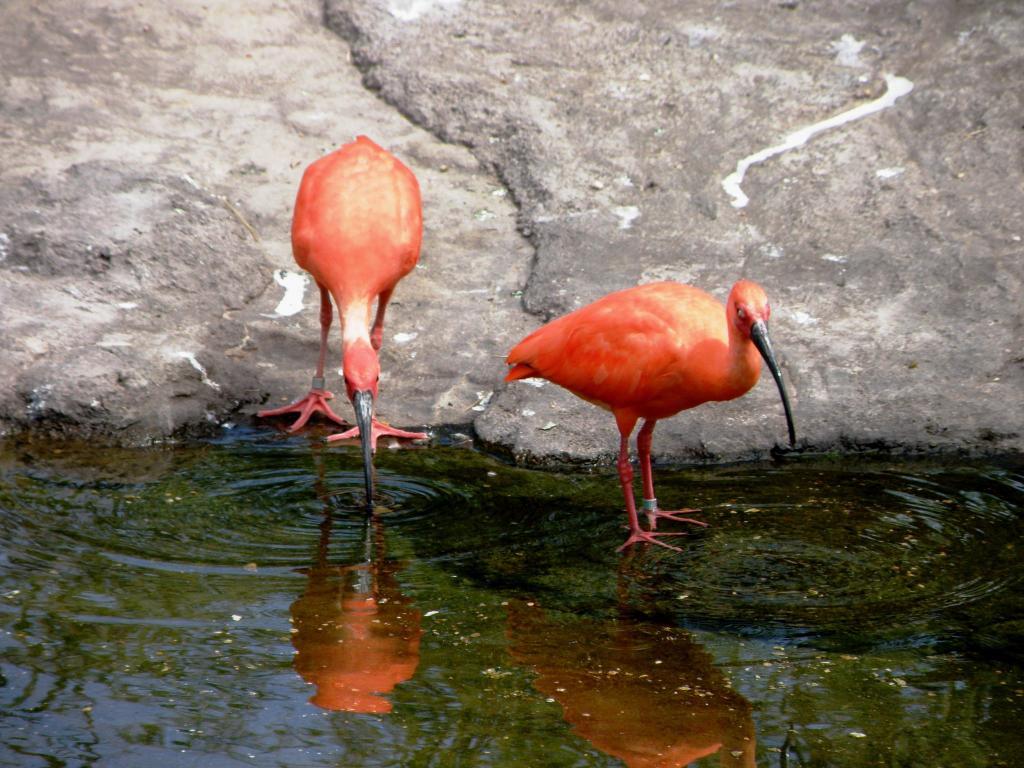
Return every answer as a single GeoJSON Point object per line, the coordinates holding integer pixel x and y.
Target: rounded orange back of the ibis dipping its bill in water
{"type": "Point", "coordinates": [358, 225]}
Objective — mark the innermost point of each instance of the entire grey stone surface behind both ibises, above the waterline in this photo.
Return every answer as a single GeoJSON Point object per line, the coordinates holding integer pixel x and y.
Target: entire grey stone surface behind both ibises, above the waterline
{"type": "Point", "coordinates": [150, 154]}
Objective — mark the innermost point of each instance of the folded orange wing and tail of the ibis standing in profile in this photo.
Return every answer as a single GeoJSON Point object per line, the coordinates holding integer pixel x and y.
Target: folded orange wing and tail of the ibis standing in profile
{"type": "Point", "coordinates": [639, 349]}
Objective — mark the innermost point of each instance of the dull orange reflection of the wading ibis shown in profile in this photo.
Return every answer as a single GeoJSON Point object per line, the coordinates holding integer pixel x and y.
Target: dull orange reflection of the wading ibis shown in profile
{"type": "Point", "coordinates": [646, 695]}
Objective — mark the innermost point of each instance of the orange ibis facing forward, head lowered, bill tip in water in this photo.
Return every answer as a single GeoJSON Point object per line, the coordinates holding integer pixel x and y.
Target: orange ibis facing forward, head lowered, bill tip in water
{"type": "Point", "coordinates": [357, 230]}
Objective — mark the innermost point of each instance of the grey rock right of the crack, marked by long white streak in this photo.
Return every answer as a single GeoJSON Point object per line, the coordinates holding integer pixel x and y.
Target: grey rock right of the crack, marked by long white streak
{"type": "Point", "coordinates": [891, 246]}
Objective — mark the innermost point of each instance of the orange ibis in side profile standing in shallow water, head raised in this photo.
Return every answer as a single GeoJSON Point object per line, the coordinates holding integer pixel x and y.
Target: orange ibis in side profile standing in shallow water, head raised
{"type": "Point", "coordinates": [649, 353]}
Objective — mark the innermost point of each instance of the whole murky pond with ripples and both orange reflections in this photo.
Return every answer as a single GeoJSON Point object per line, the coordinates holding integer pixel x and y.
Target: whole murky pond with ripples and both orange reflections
{"type": "Point", "coordinates": [230, 605]}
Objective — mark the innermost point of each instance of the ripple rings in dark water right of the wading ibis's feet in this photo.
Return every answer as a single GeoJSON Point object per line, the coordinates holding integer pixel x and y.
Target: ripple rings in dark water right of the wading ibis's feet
{"type": "Point", "coordinates": [871, 557]}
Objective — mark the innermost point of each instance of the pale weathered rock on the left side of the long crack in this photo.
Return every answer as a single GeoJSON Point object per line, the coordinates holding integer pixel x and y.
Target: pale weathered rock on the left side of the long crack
{"type": "Point", "coordinates": [151, 158]}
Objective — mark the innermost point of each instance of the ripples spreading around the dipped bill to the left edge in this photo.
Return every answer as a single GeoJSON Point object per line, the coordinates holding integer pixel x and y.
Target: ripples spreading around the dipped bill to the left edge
{"type": "Point", "coordinates": [225, 517]}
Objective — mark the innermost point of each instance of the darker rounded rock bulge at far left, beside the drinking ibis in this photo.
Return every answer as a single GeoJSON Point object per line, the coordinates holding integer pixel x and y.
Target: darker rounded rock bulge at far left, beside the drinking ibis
{"type": "Point", "coordinates": [108, 302]}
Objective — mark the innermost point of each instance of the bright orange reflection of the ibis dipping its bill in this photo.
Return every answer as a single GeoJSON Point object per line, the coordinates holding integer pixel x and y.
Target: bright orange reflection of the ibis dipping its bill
{"type": "Point", "coordinates": [356, 635]}
